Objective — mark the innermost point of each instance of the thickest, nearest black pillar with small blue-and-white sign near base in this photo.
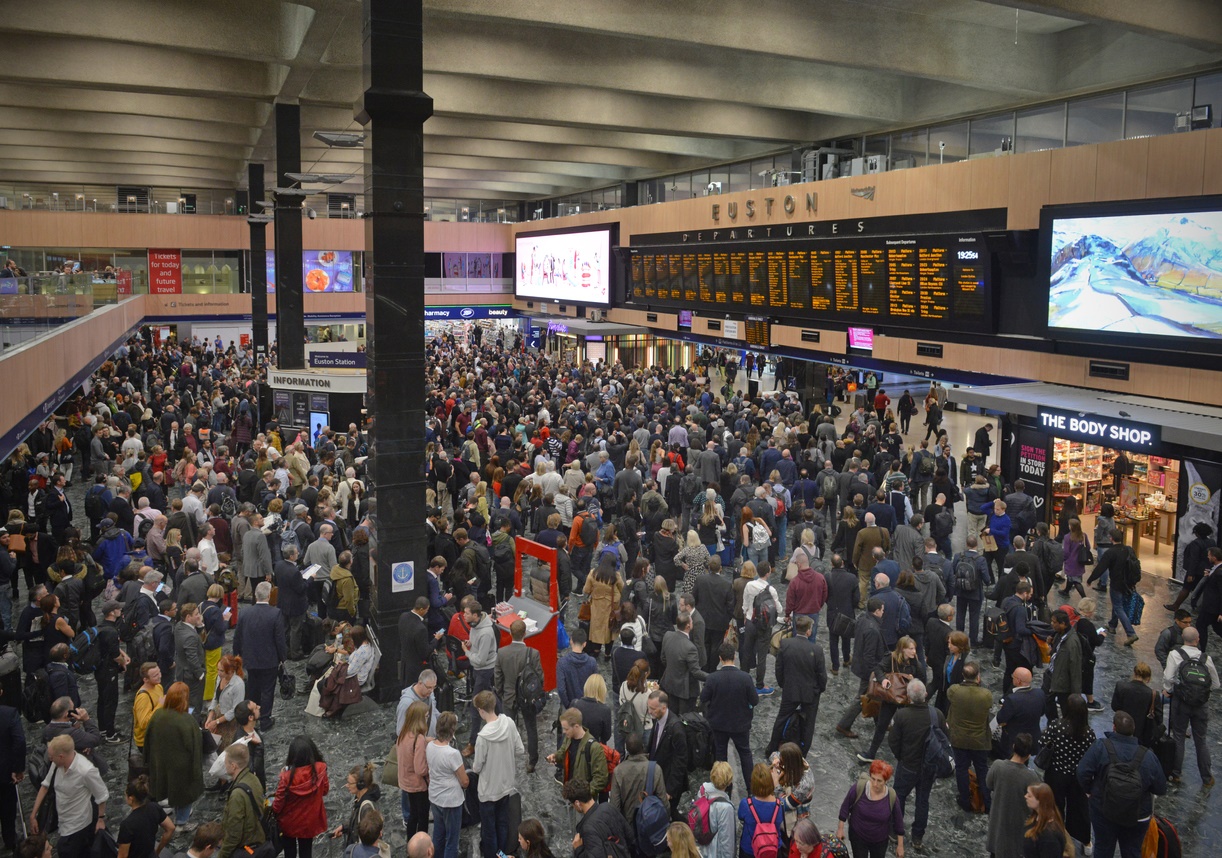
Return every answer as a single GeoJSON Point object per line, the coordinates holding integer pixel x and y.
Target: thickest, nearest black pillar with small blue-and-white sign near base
{"type": "Point", "coordinates": [395, 109]}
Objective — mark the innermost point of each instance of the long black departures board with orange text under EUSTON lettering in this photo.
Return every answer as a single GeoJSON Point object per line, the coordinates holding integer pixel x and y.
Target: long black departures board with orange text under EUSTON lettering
{"type": "Point", "coordinates": [939, 282]}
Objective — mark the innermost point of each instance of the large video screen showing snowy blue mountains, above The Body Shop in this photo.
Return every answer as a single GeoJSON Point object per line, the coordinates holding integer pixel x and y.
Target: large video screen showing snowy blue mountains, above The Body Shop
{"type": "Point", "coordinates": [1146, 274]}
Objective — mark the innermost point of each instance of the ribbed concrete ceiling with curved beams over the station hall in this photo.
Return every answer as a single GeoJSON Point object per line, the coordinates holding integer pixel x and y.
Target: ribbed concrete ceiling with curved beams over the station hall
{"type": "Point", "coordinates": [538, 98]}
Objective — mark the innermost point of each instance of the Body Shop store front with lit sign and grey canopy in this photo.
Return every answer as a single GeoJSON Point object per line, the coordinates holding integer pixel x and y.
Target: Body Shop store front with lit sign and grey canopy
{"type": "Point", "coordinates": [1157, 464]}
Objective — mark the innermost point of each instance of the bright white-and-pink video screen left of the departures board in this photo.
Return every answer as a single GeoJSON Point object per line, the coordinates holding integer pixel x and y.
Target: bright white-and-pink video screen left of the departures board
{"type": "Point", "coordinates": [565, 267]}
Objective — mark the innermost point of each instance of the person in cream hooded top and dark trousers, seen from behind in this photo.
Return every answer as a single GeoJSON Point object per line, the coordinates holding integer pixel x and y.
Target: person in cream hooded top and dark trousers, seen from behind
{"type": "Point", "coordinates": [498, 746]}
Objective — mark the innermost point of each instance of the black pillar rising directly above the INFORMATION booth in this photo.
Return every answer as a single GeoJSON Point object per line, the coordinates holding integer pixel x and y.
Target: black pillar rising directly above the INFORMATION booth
{"type": "Point", "coordinates": [290, 301]}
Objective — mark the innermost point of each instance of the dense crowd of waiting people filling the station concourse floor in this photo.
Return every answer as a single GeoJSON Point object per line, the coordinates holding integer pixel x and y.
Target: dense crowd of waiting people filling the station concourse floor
{"type": "Point", "coordinates": [702, 540]}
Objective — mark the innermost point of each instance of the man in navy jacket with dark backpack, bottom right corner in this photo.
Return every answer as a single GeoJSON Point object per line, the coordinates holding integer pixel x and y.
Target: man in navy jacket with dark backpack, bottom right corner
{"type": "Point", "coordinates": [1119, 746]}
